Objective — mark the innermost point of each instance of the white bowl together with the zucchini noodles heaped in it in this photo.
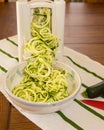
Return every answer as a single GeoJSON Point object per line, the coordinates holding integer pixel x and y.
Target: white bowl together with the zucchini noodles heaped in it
{"type": "Point", "coordinates": [39, 92]}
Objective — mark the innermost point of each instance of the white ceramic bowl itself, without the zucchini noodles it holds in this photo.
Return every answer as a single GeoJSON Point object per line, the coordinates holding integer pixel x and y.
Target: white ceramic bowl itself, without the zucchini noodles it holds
{"type": "Point", "coordinates": [13, 78]}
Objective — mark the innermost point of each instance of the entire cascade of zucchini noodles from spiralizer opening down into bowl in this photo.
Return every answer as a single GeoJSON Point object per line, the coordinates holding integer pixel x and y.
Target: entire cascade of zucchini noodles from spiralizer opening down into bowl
{"type": "Point", "coordinates": [42, 80]}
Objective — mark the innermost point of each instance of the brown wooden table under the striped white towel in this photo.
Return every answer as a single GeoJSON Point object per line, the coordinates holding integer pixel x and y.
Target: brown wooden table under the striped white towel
{"type": "Point", "coordinates": [84, 32]}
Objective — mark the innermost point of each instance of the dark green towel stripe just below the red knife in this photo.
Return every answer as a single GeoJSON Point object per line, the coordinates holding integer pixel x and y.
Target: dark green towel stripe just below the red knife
{"type": "Point", "coordinates": [89, 109]}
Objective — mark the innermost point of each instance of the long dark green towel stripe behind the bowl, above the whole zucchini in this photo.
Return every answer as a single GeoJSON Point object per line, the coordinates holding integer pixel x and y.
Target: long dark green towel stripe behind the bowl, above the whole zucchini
{"type": "Point", "coordinates": [93, 73]}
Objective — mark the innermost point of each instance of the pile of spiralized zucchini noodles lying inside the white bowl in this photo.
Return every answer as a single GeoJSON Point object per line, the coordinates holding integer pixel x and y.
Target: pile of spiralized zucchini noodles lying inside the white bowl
{"type": "Point", "coordinates": [42, 88]}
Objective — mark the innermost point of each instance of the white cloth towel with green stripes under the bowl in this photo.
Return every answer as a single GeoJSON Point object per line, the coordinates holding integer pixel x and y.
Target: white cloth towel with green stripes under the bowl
{"type": "Point", "coordinates": [75, 113]}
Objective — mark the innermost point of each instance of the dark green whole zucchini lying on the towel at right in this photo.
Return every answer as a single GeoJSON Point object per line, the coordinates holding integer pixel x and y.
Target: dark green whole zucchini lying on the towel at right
{"type": "Point", "coordinates": [95, 90]}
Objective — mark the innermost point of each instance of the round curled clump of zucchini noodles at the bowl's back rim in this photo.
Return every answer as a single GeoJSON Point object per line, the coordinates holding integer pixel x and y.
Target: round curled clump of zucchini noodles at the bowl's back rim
{"type": "Point", "coordinates": [38, 69]}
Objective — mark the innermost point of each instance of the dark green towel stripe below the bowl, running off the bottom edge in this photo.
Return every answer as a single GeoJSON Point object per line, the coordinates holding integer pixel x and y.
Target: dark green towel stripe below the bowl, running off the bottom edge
{"type": "Point", "coordinates": [69, 121]}
